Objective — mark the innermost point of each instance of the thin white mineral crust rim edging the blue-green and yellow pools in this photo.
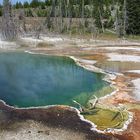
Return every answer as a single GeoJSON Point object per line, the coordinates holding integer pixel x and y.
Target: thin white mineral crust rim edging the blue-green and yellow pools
{"type": "Point", "coordinates": [91, 68]}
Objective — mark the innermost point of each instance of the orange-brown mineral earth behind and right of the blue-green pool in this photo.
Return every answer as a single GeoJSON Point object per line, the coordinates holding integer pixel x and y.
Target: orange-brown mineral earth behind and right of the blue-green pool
{"type": "Point", "coordinates": [124, 95]}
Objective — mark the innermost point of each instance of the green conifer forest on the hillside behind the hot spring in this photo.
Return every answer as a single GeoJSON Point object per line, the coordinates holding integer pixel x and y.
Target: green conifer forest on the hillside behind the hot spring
{"type": "Point", "coordinates": [120, 16]}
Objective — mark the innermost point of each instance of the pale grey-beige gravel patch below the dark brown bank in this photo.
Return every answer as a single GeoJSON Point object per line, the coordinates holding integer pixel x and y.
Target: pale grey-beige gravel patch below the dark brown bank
{"type": "Point", "coordinates": [31, 130]}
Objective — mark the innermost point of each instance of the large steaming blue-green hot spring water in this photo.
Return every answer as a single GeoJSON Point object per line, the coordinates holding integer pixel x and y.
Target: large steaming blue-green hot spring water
{"type": "Point", "coordinates": [36, 80]}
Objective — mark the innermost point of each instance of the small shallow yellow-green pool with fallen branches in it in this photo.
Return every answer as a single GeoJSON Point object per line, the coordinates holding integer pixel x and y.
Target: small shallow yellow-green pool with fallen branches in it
{"type": "Point", "coordinates": [106, 118]}
